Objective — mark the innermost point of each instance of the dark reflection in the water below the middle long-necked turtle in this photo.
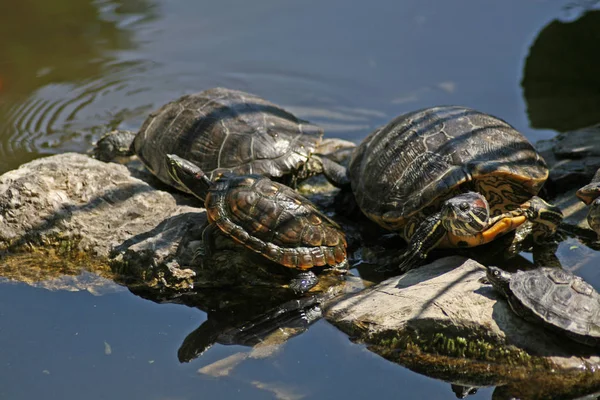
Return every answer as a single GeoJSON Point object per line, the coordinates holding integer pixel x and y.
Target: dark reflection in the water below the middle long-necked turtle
{"type": "Point", "coordinates": [251, 317]}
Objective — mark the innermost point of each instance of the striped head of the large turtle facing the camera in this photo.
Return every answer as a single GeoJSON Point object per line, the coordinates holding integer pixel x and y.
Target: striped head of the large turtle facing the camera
{"type": "Point", "coordinates": [466, 214]}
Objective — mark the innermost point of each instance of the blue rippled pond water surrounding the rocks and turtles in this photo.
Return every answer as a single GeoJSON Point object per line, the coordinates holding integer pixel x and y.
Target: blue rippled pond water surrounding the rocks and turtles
{"type": "Point", "coordinates": [72, 69]}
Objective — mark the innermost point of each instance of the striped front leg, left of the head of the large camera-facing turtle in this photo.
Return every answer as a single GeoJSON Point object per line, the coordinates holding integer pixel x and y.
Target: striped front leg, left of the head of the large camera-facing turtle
{"type": "Point", "coordinates": [426, 237]}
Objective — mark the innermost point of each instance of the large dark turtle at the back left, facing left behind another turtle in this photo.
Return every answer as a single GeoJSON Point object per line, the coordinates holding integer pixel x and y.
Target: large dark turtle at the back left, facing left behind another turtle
{"type": "Point", "coordinates": [225, 130]}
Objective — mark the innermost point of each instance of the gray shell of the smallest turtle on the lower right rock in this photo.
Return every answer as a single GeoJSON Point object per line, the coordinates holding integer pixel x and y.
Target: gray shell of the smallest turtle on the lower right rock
{"type": "Point", "coordinates": [561, 299]}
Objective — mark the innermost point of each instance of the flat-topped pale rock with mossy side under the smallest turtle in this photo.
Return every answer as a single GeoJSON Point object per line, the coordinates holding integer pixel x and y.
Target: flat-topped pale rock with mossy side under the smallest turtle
{"type": "Point", "coordinates": [441, 320]}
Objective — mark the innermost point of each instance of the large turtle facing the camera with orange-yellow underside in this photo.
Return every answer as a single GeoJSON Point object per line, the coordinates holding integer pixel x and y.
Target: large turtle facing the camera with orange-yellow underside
{"type": "Point", "coordinates": [450, 176]}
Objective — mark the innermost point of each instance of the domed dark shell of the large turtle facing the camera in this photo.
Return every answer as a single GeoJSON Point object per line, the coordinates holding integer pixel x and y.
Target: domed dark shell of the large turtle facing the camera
{"type": "Point", "coordinates": [422, 158]}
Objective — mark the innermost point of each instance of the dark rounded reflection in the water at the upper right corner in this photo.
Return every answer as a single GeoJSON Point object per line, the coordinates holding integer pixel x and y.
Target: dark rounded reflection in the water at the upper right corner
{"type": "Point", "coordinates": [561, 84]}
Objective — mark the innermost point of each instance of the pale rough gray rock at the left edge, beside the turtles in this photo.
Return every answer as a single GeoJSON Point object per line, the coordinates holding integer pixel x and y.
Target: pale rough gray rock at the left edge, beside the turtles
{"type": "Point", "coordinates": [89, 208]}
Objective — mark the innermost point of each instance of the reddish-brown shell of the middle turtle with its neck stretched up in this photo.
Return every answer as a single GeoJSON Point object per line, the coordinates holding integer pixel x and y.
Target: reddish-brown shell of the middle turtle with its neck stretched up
{"type": "Point", "coordinates": [276, 221]}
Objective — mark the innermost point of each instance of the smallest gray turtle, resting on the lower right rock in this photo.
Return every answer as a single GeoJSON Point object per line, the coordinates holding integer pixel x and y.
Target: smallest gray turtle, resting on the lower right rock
{"type": "Point", "coordinates": [553, 297]}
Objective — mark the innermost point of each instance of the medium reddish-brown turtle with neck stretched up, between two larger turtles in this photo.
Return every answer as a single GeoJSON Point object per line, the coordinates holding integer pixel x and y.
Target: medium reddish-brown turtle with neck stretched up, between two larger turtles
{"type": "Point", "coordinates": [267, 217]}
